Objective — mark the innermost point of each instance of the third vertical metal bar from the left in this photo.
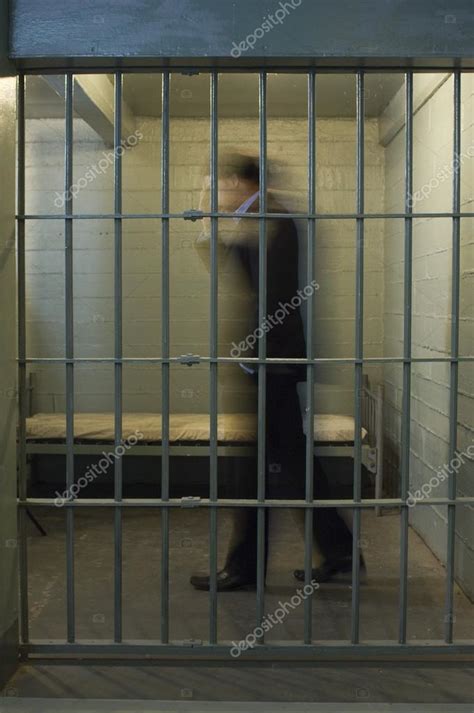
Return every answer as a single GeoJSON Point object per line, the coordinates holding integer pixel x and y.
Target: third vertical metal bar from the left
{"type": "Point", "coordinates": [118, 376]}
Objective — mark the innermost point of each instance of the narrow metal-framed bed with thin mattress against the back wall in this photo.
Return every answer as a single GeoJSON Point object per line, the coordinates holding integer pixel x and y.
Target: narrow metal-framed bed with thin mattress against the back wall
{"type": "Point", "coordinates": [189, 434]}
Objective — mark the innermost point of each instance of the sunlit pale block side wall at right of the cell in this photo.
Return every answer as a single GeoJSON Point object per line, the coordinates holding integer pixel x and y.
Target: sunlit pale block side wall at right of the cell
{"type": "Point", "coordinates": [432, 283]}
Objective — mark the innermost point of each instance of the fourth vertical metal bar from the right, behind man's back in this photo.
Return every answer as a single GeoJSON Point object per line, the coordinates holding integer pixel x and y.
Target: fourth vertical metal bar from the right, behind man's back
{"type": "Point", "coordinates": [308, 530]}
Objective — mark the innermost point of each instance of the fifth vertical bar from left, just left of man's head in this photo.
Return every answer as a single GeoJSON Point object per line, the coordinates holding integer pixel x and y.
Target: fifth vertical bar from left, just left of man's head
{"type": "Point", "coordinates": [213, 366]}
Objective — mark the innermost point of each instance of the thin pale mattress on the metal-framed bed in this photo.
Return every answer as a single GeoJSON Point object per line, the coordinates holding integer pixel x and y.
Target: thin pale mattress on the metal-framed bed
{"type": "Point", "coordinates": [232, 427]}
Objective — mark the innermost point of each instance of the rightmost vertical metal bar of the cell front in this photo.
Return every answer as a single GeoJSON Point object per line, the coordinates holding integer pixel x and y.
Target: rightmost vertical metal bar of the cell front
{"type": "Point", "coordinates": [454, 375]}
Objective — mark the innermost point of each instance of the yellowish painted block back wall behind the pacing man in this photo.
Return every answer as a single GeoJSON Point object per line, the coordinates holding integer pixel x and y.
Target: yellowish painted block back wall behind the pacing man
{"type": "Point", "coordinates": [93, 260]}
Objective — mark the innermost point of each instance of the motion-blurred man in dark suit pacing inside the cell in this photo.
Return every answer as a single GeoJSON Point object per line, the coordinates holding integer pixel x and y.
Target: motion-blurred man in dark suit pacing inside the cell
{"type": "Point", "coordinates": [238, 192]}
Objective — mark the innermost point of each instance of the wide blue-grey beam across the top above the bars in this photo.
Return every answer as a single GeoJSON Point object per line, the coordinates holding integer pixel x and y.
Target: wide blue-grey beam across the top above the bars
{"type": "Point", "coordinates": [217, 28]}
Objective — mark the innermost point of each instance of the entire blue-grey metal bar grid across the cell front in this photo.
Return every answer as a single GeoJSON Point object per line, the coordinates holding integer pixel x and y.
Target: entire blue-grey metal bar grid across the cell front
{"type": "Point", "coordinates": [262, 505]}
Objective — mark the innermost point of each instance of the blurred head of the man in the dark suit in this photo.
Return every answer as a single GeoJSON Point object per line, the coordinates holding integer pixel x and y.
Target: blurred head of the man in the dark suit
{"type": "Point", "coordinates": [238, 180]}
